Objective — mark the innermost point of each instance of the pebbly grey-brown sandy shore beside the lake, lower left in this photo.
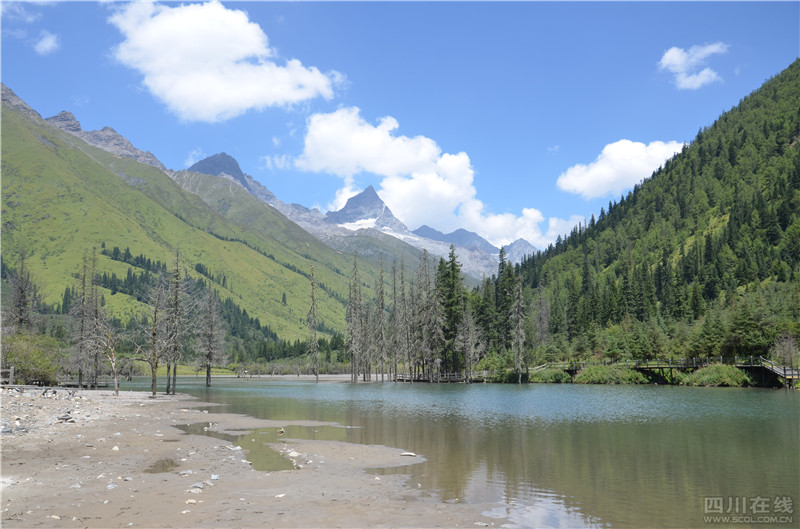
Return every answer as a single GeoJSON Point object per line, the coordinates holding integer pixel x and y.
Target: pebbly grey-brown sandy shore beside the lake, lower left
{"type": "Point", "coordinates": [82, 461]}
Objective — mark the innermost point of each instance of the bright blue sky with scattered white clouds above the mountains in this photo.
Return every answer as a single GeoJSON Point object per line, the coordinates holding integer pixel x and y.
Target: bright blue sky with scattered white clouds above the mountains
{"type": "Point", "coordinates": [512, 119]}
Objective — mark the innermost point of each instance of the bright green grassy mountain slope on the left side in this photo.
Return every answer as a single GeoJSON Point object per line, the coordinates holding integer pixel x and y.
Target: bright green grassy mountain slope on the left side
{"type": "Point", "coordinates": [61, 197]}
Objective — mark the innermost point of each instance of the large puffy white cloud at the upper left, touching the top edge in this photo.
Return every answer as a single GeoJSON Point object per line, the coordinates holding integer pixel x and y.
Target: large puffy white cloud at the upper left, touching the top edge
{"type": "Point", "coordinates": [209, 63]}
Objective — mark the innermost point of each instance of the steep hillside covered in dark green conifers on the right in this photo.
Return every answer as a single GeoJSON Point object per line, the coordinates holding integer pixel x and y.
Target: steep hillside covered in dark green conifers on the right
{"type": "Point", "coordinates": [703, 258]}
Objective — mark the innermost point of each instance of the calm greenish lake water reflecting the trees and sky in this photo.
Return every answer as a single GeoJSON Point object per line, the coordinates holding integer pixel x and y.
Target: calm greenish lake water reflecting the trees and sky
{"type": "Point", "coordinates": [550, 455]}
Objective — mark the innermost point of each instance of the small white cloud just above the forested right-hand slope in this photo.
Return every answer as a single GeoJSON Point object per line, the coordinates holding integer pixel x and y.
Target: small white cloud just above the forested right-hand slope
{"type": "Point", "coordinates": [621, 165]}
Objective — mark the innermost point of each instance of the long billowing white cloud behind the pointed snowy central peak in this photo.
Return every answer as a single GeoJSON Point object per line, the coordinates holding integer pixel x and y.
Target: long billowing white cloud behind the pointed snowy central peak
{"type": "Point", "coordinates": [419, 183]}
